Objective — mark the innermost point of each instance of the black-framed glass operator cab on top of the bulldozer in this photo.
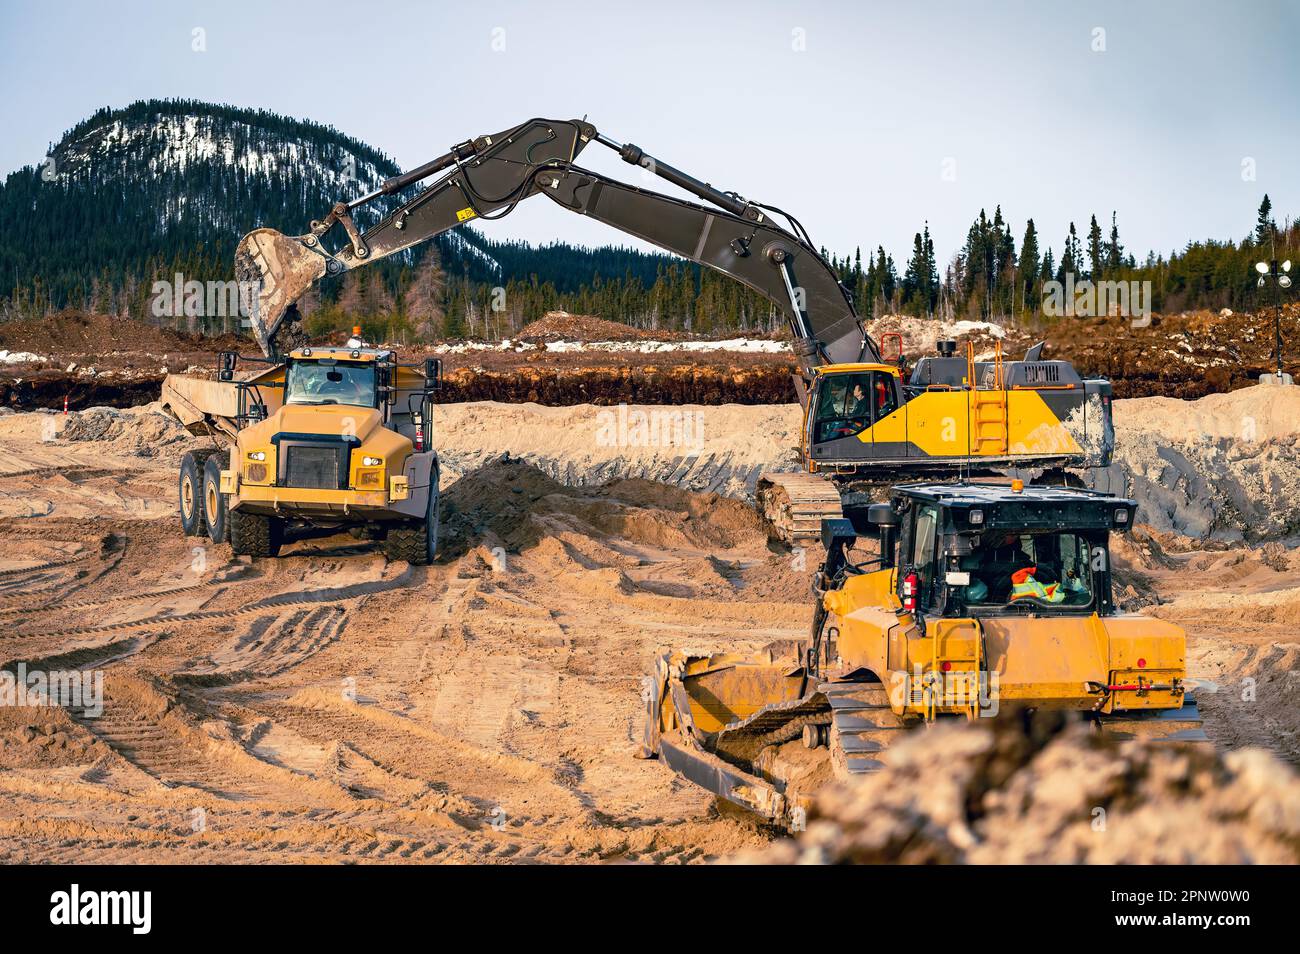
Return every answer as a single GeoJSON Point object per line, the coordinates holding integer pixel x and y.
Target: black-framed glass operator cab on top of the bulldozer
{"type": "Point", "coordinates": [999, 550]}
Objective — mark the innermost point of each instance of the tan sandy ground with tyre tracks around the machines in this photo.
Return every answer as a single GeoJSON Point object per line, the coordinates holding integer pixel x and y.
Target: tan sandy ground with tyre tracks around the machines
{"type": "Point", "coordinates": [328, 706]}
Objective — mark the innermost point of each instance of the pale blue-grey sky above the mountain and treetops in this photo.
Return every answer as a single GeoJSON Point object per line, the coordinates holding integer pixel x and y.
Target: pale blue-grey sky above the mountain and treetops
{"type": "Point", "coordinates": [851, 133]}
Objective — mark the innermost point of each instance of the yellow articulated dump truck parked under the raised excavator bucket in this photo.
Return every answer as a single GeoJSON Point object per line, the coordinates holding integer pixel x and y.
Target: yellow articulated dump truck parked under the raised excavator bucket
{"type": "Point", "coordinates": [324, 439]}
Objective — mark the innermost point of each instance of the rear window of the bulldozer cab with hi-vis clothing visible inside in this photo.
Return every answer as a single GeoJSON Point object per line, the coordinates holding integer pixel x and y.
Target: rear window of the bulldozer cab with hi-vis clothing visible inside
{"type": "Point", "coordinates": [1041, 570]}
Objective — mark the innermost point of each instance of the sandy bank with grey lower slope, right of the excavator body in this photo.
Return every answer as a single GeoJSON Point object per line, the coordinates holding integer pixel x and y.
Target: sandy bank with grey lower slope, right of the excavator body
{"type": "Point", "coordinates": [1224, 467]}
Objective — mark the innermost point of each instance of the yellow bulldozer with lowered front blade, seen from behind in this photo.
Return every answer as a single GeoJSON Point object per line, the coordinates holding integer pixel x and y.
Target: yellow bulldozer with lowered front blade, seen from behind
{"type": "Point", "coordinates": [980, 596]}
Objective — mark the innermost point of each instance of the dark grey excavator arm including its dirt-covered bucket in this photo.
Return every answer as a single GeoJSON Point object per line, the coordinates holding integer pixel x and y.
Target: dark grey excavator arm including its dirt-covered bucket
{"type": "Point", "coordinates": [487, 177]}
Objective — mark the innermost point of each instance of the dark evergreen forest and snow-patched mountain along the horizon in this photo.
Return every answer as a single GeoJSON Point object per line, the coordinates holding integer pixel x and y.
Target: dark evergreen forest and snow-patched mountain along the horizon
{"type": "Point", "coordinates": [137, 196]}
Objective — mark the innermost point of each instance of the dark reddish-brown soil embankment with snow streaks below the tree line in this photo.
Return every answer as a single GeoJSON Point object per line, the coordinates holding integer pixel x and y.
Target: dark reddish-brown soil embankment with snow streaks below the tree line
{"type": "Point", "coordinates": [90, 359]}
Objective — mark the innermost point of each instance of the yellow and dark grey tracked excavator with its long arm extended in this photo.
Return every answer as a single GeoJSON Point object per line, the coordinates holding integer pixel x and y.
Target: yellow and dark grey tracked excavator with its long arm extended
{"type": "Point", "coordinates": [868, 423]}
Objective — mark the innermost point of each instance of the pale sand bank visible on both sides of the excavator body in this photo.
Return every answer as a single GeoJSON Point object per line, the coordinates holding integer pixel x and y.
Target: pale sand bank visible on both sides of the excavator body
{"type": "Point", "coordinates": [1224, 467]}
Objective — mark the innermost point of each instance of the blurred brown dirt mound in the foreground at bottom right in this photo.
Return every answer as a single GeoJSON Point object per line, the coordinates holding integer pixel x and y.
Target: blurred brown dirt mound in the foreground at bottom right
{"type": "Point", "coordinates": [1035, 791]}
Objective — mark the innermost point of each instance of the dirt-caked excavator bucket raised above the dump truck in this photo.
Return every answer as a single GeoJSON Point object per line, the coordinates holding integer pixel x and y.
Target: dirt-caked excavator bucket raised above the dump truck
{"type": "Point", "coordinates": [274, 272]}
